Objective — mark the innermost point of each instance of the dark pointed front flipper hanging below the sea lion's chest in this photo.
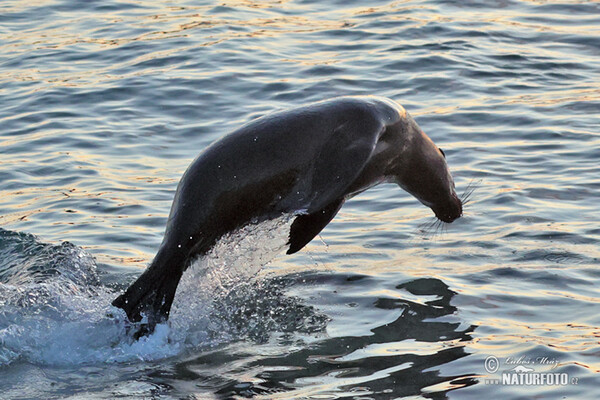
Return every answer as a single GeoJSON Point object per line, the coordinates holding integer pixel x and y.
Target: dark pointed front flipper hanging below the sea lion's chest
{"type": "Point", "coordinates": [306, 227]}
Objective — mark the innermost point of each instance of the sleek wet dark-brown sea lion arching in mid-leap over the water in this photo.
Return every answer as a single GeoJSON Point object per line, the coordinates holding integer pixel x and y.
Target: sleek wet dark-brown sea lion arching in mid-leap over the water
{"type": "Point", "coordinates": [306, 162]}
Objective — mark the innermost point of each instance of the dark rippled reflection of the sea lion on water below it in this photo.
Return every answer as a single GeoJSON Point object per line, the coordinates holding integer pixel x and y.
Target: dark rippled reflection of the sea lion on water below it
{"type": "Point", "coordinates": [399, 358]}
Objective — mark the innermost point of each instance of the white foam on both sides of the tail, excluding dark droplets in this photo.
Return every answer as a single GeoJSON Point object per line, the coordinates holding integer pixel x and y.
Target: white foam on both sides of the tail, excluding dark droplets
{"type": "Point", "coordinates": [68, 319]}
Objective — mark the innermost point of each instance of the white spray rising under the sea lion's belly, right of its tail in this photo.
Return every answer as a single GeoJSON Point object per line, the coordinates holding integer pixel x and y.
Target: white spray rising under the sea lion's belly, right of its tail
{"type": "Point", "coordinates": [230, 266]}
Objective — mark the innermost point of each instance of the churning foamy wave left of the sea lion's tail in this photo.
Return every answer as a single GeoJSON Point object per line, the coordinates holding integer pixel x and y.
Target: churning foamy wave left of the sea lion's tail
{"type": "Point", "coordinates": [53, 309]}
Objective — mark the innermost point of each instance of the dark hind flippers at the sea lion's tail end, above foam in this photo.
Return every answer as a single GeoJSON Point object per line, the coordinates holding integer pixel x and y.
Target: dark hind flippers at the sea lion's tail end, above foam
{"type": "Point", "coordinates": [151, 295]}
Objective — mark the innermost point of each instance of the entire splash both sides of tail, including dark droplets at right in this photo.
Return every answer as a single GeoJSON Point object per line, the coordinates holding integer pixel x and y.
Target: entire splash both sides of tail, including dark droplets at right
{"type": "Point", "coordinates": [54, 311]}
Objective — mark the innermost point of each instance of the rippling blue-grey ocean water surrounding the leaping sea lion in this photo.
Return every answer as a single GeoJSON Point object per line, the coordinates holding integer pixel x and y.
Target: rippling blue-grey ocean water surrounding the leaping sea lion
{"type": "Point", "coordinates": [103, 104]}
